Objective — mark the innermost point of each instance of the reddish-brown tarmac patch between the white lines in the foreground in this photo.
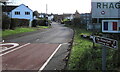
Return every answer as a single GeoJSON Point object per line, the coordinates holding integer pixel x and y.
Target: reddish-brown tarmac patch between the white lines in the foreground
{"type": "Point", "coordinates": [30, 57]}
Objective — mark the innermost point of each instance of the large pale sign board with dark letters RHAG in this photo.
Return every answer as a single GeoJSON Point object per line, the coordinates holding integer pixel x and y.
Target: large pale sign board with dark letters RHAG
{"type": "Point", "coordinates": [105, 9]}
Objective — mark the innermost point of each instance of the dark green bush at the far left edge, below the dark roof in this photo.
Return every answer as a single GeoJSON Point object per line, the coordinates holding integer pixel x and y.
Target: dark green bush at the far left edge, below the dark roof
{"type": "Point", "coordinates": [5, 22]}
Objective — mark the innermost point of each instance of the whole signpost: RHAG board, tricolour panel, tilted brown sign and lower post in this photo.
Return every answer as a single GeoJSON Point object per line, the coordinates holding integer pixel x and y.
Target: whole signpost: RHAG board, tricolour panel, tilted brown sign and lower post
{"type": "Point", "coordinates": [106, 9]}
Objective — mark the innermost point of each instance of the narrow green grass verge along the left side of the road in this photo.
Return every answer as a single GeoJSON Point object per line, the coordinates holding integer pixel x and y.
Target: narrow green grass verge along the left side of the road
{"type": "Point", "coordinates": [20, 30]}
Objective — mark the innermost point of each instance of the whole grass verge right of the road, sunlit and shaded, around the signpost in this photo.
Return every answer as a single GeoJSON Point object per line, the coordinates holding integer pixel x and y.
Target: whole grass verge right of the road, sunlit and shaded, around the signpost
{"type": "Point", "coordinates": [84, 57]}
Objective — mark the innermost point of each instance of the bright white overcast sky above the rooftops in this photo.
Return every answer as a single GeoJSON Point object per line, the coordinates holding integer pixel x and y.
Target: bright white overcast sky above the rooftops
{"type": "Point", "coordinates": [56, 6]}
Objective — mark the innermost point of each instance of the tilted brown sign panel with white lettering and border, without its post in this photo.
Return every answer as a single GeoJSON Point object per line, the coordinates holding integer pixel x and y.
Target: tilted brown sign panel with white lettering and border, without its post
{"type": "Point", "coordinates": [106, 42]}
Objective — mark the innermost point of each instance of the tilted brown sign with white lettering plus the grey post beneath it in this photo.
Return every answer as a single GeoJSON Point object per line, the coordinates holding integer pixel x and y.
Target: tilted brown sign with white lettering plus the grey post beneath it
{"type": "Point", "coordinates": [106, 42]}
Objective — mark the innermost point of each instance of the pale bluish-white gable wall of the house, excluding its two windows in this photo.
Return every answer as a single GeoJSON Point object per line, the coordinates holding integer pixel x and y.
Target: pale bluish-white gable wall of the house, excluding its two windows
{"type": "Point", "coordinates": [22, 9]}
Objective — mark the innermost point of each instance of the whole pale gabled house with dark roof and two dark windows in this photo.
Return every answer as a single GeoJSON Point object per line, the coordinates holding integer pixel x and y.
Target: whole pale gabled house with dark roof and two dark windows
{"type": "Point", "coordinates": [20, 12]}
